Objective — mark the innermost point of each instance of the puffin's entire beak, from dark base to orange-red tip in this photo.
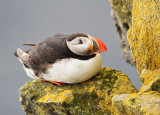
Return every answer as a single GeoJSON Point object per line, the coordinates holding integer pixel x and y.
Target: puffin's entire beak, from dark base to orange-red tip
{"type": "Point", "coordinates": [97, 45]}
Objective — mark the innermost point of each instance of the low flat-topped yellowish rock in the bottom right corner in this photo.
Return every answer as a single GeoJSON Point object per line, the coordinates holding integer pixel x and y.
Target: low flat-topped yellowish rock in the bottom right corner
{"type": "Point", "coordinates": [137, 104]}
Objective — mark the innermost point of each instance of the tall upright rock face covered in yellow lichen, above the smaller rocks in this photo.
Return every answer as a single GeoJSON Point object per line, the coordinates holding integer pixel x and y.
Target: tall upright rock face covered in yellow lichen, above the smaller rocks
{"type": "Point", "coordinates": [144, 36]}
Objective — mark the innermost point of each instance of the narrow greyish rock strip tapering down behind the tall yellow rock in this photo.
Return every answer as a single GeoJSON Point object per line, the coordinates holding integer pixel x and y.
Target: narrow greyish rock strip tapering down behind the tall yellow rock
{"type": "Point", "coordinates": [121, 13]}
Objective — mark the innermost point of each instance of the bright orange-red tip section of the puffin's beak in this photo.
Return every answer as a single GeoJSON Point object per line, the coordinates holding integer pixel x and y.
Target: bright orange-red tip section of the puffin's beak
{"type": "Point", "coordinates": [101, 45]}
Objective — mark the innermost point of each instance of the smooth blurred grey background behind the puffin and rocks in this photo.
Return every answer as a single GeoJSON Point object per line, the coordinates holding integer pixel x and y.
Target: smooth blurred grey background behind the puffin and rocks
{"type": "Point", "coordinates": [31, 21]}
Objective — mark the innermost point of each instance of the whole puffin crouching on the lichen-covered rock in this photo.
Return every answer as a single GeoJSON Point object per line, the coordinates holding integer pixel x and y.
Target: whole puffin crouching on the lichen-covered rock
{"type": "Point", "coordinates": [62, 59]}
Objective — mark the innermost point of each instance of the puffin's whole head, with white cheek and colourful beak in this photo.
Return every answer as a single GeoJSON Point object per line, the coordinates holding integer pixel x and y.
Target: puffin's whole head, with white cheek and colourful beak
{"type": "Point", "coordinates": [84, 44]}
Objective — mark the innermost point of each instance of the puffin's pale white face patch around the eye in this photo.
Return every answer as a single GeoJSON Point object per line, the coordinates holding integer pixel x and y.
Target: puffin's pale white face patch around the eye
{"type": "Point", "coordinates": [79, 45]}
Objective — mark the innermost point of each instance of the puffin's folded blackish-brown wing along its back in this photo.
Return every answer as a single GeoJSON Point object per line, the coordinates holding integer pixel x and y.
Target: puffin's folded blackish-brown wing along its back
{"type": "Point", "coordinates": [42, 55]}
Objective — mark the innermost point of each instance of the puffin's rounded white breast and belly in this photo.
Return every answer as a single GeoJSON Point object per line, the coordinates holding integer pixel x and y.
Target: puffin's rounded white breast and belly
{"type": "Point", "coordinates": [73, 70]}
